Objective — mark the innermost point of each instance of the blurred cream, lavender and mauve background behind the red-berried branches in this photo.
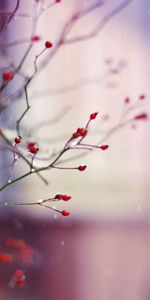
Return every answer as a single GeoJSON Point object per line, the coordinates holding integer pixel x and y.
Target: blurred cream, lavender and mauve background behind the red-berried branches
{"type": "Point", "coordinates": [102, 250]}
